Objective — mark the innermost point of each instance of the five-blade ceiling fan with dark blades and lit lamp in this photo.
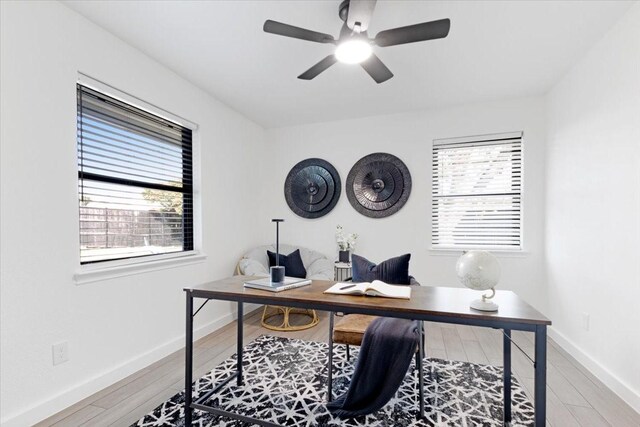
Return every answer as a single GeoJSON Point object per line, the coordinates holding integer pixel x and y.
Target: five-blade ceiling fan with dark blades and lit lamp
{"type": "Point", "coordinates": [353, 46]}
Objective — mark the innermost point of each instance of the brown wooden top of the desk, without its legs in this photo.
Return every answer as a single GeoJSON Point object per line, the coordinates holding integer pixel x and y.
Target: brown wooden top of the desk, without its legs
{"type": "Point", "coordinates": [425, 300]}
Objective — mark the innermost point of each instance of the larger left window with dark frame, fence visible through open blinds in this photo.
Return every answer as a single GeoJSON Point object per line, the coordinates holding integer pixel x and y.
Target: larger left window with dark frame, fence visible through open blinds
{"type": "Point", "coordinates": [135, 181]}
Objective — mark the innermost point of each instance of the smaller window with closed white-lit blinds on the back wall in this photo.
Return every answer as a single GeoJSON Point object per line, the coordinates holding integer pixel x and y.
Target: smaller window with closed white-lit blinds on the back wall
{"type": "Point", "coordinates": [476, 194]}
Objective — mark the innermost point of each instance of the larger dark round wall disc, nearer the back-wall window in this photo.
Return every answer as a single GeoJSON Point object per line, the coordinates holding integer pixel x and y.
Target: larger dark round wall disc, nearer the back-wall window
{"type": "Point", "coordinates": [378, 185]}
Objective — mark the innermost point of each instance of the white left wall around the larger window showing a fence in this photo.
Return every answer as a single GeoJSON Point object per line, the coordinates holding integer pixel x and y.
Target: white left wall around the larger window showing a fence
{"type": "Point", "coordinates": [117, 326]}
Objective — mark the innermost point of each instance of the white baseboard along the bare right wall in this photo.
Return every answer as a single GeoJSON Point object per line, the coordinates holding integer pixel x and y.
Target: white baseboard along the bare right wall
{"type": "Point", "coordinates": [618, 386]}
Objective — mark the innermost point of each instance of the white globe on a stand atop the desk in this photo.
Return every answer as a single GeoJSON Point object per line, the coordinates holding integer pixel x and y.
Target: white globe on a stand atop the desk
{"type": "Point", "coordinates": [480, 271]}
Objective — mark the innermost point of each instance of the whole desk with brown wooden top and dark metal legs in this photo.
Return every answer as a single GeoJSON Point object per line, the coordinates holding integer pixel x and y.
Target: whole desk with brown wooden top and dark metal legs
{"type": "Point", "coordinates": [434, 304]}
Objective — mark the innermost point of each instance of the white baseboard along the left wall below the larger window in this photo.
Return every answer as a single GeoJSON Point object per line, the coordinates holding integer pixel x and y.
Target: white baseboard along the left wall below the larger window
{"type": "Point", "coordinates": [44, 409]}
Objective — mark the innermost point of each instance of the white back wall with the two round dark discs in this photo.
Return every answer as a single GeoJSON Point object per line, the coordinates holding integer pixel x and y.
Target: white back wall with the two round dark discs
{"type": "Point", "coordinates": [409, 136]}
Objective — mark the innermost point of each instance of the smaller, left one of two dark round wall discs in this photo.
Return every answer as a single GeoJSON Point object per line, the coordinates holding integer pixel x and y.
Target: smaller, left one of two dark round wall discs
{"type": "Point", "coordinates": [312, 188]}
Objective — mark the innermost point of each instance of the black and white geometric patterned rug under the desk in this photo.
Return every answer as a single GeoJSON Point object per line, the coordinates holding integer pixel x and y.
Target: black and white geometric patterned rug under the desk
{"type": "Point", "coordinates": [285, 383]}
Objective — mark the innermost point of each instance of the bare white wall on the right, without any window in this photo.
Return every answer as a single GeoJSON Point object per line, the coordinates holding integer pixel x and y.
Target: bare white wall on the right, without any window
{"type": "Point", "coordinates": [593, 208]}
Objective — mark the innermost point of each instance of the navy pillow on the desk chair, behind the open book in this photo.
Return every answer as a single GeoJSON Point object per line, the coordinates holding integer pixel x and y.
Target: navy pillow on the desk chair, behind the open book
{"type": "Point", "coordinates": [394, 270]}
